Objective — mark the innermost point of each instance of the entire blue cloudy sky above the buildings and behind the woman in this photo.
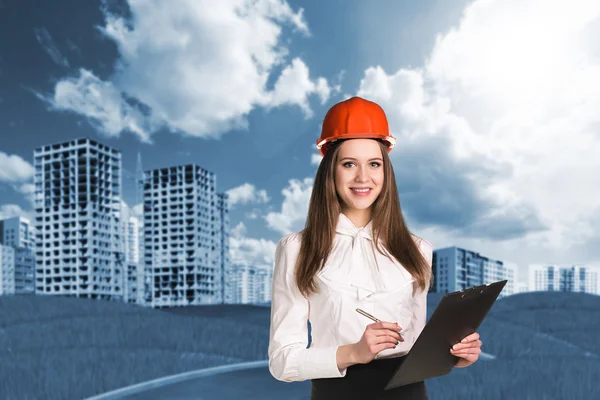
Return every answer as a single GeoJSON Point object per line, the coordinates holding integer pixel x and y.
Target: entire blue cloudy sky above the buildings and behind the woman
{"type": "Point", "coordinates": [487, 155]}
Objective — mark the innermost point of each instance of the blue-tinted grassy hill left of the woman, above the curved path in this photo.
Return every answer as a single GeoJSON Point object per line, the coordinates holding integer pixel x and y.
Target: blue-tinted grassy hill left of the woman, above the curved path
{"type": "Point", "coordinates": [66, 348]}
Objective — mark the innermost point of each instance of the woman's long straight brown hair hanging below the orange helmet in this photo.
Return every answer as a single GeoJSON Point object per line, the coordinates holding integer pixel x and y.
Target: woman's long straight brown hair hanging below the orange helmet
{"type": "Point", "coordinates": [388, 225]}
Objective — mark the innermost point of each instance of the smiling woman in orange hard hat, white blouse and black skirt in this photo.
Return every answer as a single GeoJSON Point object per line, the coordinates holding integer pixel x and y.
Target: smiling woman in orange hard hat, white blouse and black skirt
{"type": "Point", "coordinates": [354, 252]}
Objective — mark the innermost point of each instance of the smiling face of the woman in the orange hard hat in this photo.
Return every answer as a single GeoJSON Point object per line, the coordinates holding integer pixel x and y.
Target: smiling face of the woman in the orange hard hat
{"type": "Point", "coordinates": [359, 174]}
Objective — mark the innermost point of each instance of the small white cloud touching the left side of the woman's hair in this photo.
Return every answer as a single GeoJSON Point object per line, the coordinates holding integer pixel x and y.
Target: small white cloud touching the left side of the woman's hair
{"type": "Point", "coordinates": [294, 209]}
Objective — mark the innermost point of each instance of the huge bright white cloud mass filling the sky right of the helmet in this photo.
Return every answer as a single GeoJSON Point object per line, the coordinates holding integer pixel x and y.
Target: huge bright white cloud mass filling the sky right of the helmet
{"type": "Point", "coordinates": [513, 115]}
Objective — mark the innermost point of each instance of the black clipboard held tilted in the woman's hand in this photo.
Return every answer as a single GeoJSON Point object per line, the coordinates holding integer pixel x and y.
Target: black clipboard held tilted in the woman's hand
{"type": "Point", "coordinates": [457, 315]}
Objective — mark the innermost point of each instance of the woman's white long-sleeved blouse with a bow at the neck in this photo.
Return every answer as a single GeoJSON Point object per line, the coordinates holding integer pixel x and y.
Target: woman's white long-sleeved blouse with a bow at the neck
{"type": "Point", "coordinates": [355, 275]}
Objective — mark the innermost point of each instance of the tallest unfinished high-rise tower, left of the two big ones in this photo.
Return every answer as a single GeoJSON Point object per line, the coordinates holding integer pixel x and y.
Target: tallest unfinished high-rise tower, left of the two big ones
{"type": "Point", "coordinates": [77, 200]}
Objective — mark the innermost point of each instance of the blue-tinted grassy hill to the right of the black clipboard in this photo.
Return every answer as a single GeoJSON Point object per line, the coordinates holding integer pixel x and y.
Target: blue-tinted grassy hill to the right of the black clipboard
{"type": "Point", "coordinates": [546, 345]}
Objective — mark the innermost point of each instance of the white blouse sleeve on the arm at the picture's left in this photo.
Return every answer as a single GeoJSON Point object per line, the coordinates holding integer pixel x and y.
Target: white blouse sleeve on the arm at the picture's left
{"type": "Point", "coordinates": [289, 358]}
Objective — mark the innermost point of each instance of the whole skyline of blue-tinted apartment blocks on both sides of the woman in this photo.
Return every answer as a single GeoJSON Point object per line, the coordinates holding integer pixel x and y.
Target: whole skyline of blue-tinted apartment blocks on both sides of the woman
{"type": "Point", "coordinates": [78, 186]}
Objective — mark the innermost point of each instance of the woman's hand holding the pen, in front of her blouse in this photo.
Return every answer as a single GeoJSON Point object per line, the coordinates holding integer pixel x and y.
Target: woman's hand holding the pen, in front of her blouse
{"type": "Point", "coordinates": [377, 336]}
